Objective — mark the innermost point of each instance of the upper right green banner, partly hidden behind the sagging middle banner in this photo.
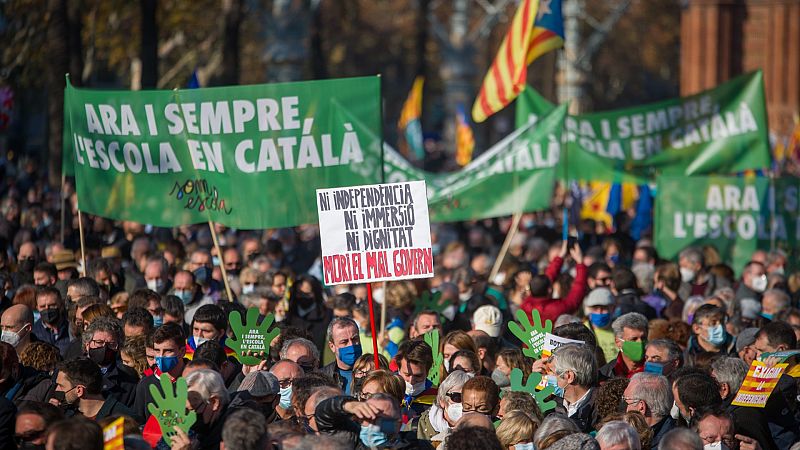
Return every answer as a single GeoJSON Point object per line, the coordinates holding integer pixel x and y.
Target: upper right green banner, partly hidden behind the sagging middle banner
{"type": "Point", "coordinates": [719, 131]}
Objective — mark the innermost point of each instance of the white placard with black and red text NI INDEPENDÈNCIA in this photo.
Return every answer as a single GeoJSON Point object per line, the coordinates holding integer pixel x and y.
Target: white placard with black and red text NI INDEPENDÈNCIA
{"type": "Point", "coordinates": [378, 232]}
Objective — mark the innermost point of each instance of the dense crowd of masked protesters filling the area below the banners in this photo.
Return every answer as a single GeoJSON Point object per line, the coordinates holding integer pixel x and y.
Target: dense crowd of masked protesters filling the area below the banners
{"type": "Point", "coordinates": [88, 335]}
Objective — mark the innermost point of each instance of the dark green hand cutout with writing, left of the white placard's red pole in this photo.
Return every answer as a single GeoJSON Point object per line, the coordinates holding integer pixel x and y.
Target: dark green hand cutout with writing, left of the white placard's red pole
{"type": "Point", "coordinates": [251, 340]}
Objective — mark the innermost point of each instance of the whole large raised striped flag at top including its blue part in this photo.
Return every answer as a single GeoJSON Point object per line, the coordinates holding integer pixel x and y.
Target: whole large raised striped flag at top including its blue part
{"type": "Point", "coordinates": [537, 28]}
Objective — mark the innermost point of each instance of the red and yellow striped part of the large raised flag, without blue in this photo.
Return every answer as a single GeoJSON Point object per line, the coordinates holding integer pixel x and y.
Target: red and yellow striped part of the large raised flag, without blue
{"type": "Point", "coordinates": [507, 76]}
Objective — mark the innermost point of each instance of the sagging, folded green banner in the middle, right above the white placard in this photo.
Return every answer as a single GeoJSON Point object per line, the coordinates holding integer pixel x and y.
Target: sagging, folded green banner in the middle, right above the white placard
{"type": "Point", "coordinates": [517, 174]}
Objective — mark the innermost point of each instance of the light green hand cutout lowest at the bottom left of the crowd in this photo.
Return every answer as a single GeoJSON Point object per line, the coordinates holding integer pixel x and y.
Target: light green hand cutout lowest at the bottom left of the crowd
{"type": "Point", "coordinates": [169, 409]}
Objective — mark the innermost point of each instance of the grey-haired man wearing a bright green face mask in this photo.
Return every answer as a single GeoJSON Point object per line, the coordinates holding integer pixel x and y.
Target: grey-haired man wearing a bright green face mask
{"type": "Point", "coordinates": [630, 337]}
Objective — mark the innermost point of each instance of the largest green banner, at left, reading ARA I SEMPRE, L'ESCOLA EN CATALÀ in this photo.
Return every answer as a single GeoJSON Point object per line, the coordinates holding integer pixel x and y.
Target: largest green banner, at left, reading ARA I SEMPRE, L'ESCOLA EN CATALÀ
{"type": "Point", "coordinates": [246, 156]}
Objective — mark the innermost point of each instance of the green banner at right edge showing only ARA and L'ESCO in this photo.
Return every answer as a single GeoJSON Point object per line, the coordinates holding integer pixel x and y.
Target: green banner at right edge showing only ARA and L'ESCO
{"type": "Point", "coordinates": [735, 215]}
